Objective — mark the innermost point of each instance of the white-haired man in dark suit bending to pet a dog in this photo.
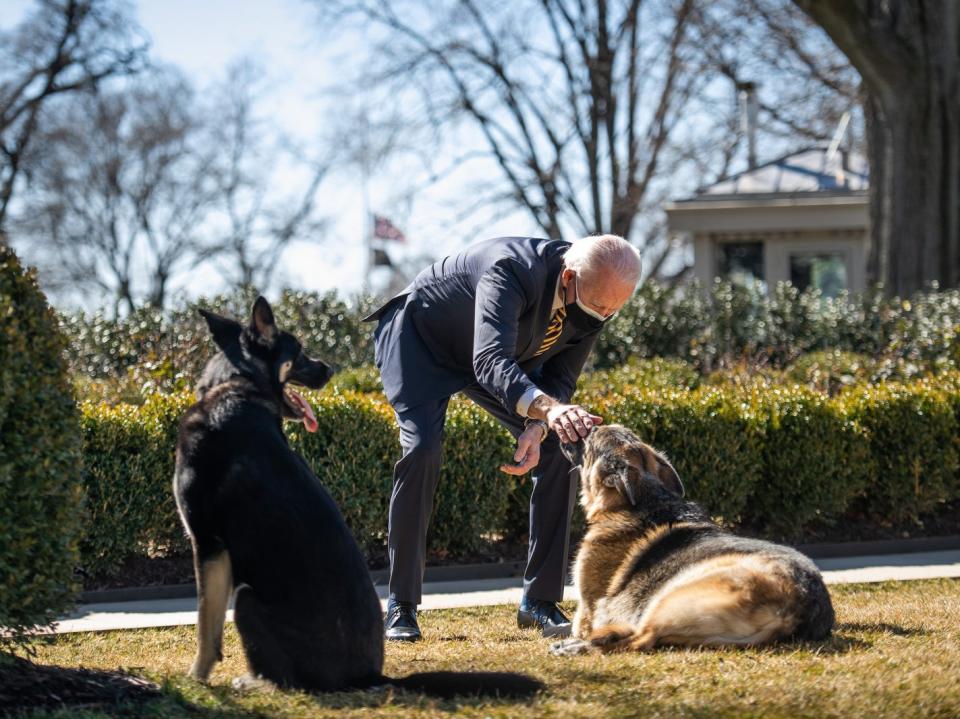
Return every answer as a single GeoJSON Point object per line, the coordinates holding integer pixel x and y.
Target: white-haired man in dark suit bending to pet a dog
{"type": "Point", "coordinates": [509, 322]}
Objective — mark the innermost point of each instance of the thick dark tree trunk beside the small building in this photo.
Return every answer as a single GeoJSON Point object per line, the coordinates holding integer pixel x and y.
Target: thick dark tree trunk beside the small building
{"type": "Point", "coordinates": [908, 54]}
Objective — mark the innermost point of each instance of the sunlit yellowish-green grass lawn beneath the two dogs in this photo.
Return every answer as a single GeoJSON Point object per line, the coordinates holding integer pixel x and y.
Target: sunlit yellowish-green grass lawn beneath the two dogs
{"type": "Point", "coordinates": [895, 652]}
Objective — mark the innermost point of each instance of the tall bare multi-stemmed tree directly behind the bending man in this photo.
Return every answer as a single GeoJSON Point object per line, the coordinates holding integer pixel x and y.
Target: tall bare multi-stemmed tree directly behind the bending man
{"type": "Point", "coordinates": [575, 103]}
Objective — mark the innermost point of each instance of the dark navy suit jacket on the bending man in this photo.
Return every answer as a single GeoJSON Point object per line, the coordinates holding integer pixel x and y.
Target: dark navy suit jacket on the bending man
{"type": "Point", "coordinates": [479, 317]}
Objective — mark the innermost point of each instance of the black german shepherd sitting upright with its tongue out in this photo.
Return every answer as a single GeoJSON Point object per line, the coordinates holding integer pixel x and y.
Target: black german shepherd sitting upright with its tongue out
{"type": "Point", "coordinates": [259, 520]}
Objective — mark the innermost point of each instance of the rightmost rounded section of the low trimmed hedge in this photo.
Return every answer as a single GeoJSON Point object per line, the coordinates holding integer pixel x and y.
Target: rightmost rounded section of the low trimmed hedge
{"type": "Point", "coordinates": [913, 436]}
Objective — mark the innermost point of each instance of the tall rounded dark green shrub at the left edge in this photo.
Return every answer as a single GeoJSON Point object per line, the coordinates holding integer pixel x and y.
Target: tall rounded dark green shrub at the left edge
{"type": "Point", "coordinates": [40, 490]}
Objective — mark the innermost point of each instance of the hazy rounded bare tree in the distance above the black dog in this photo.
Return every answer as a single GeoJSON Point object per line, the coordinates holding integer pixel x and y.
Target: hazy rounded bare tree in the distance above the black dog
{"type": "Point", "coordinates": [120, 194]}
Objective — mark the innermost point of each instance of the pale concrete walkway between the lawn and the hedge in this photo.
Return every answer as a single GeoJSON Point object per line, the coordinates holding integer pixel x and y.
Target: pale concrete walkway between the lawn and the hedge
{"type": "Point", "coordinates": [483, 592]}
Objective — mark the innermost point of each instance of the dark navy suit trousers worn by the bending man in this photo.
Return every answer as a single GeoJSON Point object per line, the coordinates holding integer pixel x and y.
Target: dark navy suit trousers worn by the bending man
{"type": "Point", "coordinates": [415, 481]}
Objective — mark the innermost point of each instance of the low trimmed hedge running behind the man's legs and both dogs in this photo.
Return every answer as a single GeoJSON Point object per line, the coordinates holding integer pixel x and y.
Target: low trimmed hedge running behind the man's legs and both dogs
{"type": "Point", "coordinates": [776, 459]}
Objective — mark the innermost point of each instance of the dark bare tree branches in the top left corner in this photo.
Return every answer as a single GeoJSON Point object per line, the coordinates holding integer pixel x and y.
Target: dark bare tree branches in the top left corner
{"type": "Point", "coordinates": [63, 46]}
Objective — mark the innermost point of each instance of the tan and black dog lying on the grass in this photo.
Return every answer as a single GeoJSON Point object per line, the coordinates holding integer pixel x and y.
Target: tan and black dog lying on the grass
{"type": "Point", "coordinates": [654, 569]}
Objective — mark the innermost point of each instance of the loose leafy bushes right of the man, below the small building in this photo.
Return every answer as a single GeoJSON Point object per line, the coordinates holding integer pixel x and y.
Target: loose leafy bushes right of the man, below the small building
{"type": "Point", "coordinates": [729, 325]}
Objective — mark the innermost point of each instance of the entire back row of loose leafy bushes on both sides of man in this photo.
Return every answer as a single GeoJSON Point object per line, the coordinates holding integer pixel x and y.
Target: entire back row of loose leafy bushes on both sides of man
{"type": "Point", "coordinates": [728, 327]}
